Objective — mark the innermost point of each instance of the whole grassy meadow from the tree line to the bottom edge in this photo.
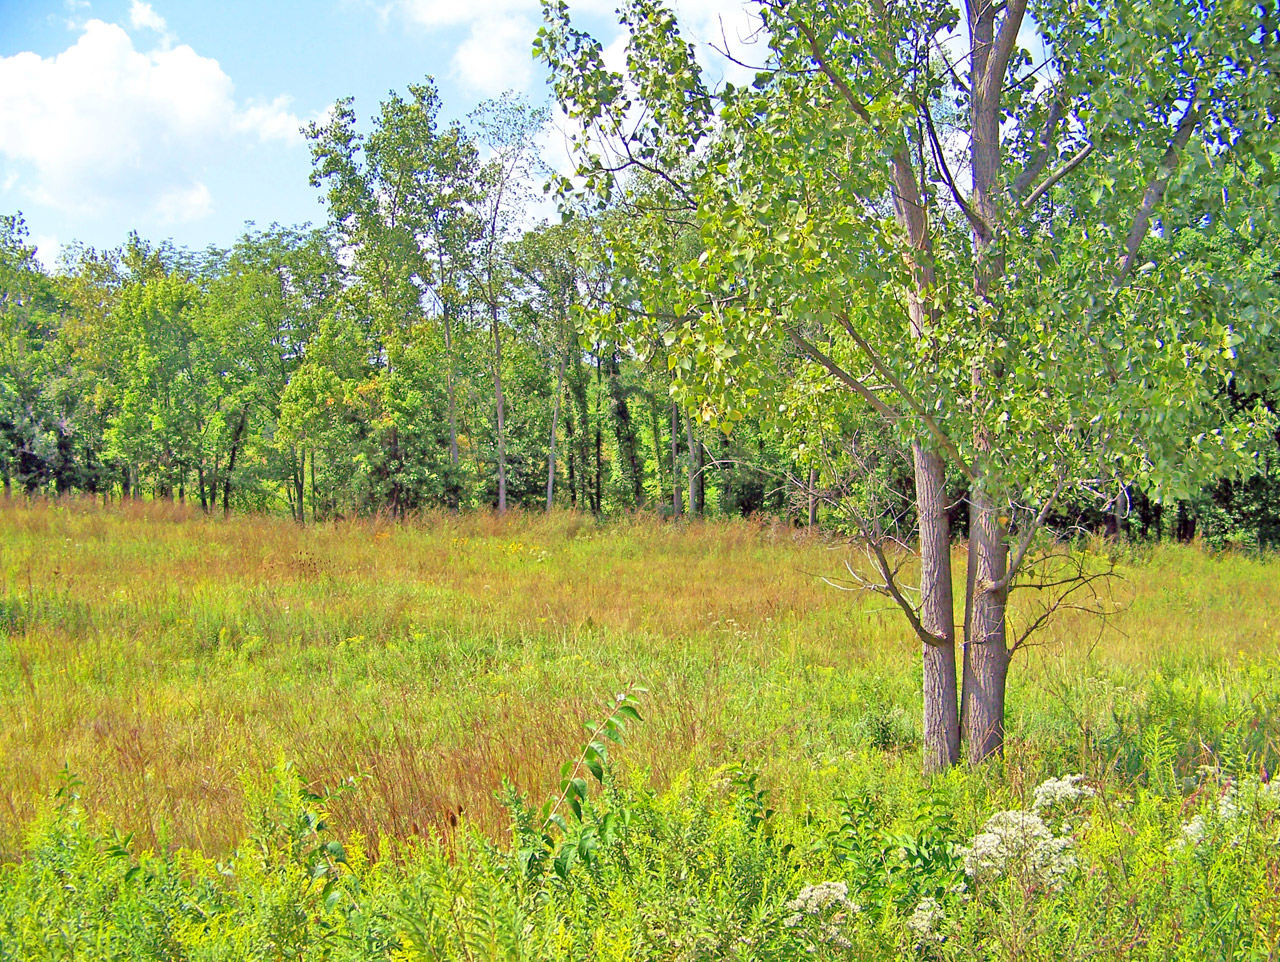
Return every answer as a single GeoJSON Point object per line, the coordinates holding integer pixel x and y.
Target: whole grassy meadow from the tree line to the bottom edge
{"type": "Point", "coordinates": [163, 674]}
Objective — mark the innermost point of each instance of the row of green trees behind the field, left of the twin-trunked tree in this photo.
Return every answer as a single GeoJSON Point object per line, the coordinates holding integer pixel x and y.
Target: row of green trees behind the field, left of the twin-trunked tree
{"type": "Point", "coordinates": [422, 350]}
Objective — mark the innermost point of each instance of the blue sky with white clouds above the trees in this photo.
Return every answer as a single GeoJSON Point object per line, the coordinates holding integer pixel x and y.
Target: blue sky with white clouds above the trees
{"type": "Point", "coordinates": [180, 120]}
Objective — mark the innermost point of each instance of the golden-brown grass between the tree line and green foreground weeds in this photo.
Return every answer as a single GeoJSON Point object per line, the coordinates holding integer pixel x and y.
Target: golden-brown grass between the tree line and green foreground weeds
{"type": "Point", "coordinates": [167, 658]}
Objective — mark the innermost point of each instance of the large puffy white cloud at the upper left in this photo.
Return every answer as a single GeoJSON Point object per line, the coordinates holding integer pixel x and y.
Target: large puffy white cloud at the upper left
{"type": "Point", "coordinates": [107, 127]}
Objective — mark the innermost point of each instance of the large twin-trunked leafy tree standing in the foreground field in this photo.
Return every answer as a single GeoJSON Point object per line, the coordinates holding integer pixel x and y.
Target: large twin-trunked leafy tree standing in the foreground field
{"type": "Point", "coordinates": [956, 230]}
